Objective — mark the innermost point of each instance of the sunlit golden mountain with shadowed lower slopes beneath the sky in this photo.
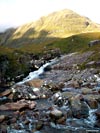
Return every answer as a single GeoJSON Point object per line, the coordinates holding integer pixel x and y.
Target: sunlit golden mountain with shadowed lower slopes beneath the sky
{"type": "Point", "coordinates": [48, 29]}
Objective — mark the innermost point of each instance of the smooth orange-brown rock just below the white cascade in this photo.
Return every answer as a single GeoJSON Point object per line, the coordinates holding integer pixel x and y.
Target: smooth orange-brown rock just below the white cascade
{"type": "Point", "coordinates": [36, 83]}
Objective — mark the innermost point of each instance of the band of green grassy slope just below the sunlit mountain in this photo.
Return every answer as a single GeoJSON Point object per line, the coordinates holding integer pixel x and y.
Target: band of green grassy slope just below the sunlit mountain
{"type": "Point", "coordinates": [67, 45]}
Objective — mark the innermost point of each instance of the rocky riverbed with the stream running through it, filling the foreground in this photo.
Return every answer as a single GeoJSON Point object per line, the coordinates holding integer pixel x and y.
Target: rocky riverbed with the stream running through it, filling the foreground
{"type": "Point", "coordinates": [61, 97]}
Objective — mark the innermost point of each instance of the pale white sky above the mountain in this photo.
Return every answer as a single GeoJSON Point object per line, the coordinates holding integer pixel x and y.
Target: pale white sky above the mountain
{"type": "Point", "coordinates": [19, 12]}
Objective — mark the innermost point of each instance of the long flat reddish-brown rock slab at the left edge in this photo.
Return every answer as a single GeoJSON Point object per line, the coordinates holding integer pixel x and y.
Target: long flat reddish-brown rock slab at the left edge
{"type": "Point", "coordinates": [18, 105]}
